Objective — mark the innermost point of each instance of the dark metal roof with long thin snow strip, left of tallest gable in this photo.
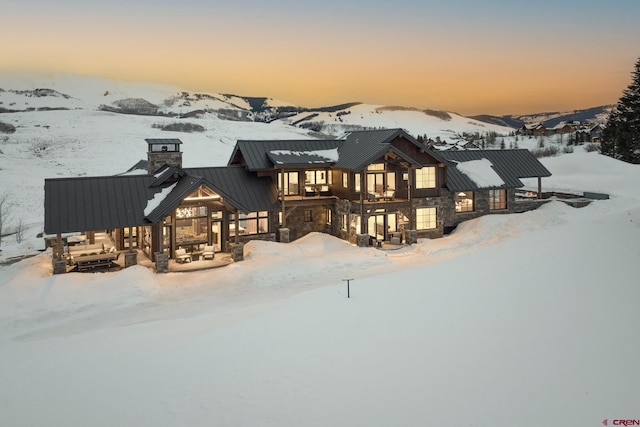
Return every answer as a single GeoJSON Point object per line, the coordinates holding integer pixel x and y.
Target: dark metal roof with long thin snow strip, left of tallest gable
{"type": "Point", "coordinates": [256, 154]}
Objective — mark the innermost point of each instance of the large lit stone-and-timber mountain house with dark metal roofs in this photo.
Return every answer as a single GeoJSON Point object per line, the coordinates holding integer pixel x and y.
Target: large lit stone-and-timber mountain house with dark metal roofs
{"type": "Point", "coordinates": [379, 187]}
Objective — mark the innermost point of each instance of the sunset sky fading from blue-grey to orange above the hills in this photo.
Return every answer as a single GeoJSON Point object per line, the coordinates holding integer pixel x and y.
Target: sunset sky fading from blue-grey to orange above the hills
{"type": "Point", "coordinates": [467, 56]}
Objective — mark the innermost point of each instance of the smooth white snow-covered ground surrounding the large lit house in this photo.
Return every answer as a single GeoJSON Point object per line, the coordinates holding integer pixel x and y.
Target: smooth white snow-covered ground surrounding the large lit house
{"type": "Point", "coordinates": [527, 319]}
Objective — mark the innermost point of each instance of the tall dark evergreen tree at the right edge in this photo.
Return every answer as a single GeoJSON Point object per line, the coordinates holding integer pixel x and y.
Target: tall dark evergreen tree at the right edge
{"type": "Point", "coordinates": [621, 137]}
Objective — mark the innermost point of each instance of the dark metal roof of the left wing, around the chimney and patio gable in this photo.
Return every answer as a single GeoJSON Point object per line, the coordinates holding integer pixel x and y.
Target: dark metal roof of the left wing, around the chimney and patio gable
{"type": "Point", "coordinates": [101, 203]}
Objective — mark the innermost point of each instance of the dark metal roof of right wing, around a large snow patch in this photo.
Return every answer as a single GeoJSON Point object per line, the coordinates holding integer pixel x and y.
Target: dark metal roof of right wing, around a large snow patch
{"type": "Point", "coordinates": [510, 165]}
